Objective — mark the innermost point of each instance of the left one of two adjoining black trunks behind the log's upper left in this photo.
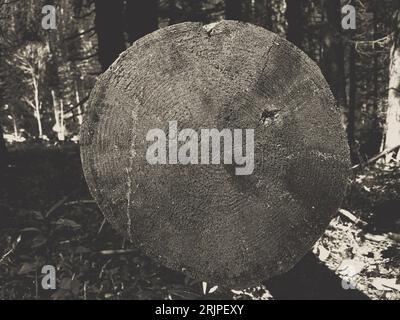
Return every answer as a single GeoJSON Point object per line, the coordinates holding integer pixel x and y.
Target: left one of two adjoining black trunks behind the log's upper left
{"type": "Point", "coordinates": [109, 26]}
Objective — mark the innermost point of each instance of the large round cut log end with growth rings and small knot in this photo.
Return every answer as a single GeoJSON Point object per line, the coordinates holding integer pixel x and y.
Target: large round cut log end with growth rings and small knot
{"type": "Point", "coordinates": [203, 219]}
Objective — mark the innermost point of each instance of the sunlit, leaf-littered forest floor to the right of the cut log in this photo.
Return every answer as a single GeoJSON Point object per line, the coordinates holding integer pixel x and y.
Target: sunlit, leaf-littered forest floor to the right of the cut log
{"type": "Point", "coordinates": [367, 258]}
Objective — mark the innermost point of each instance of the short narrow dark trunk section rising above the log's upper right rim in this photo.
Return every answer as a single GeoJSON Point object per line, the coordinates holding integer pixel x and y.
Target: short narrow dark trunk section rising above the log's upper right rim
{"type": "Point", "coordinates": [294, 16]}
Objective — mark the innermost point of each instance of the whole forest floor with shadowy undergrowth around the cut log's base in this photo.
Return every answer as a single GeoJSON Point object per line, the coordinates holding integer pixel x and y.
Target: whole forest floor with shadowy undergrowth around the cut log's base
{"type": "Point", "coordinates": [47, 218]}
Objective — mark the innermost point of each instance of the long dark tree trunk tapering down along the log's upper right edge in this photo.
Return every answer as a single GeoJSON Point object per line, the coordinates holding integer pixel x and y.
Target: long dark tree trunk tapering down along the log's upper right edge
{"type": "Point", "coordinates": [333, 50]}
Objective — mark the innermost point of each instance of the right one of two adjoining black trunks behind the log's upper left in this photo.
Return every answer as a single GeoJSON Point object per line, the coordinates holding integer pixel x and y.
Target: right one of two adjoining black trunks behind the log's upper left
{"type": "Point", "coordinates": [141, 17]}
